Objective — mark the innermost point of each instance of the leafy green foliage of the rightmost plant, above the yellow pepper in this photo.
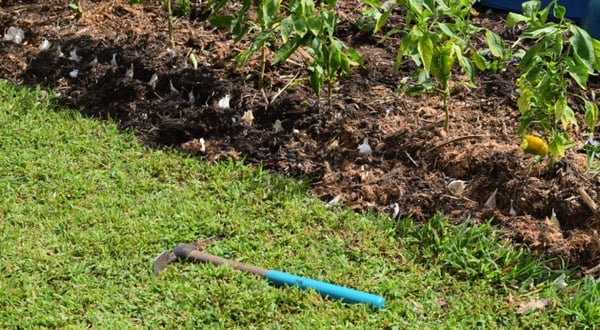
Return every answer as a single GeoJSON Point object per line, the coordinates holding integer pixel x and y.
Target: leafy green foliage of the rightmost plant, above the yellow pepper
{"type": "Point", "coordinates": [561, 53]}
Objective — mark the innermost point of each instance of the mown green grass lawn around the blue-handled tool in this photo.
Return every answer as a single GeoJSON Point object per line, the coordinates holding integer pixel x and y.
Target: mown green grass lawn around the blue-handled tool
{"type": "Point", "coordinates": [84, 209]}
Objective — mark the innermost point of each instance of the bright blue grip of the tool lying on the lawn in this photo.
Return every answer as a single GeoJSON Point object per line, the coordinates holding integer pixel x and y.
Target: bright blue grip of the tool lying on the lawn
{"type": "Point", "coordinates": [326, 289]}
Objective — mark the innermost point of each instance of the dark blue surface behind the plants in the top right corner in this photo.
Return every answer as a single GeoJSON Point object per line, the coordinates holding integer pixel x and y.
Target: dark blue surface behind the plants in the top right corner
{"type": "Point", "coordinates": [584, 12]}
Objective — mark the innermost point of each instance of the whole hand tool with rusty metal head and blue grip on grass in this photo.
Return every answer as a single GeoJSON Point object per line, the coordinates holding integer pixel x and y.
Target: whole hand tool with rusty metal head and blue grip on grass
{"type": "Point", "coordinates": [193, 252]}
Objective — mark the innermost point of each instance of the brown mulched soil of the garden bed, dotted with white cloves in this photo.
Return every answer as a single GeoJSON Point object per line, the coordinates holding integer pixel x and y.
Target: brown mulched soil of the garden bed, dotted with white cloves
{"type": "Point", "coordinates": [413, 158]}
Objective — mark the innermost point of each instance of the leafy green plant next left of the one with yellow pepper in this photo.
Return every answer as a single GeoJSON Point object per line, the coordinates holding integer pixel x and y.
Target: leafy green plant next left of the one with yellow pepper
{"type": "Point", "coordinates": [438, 35]}
